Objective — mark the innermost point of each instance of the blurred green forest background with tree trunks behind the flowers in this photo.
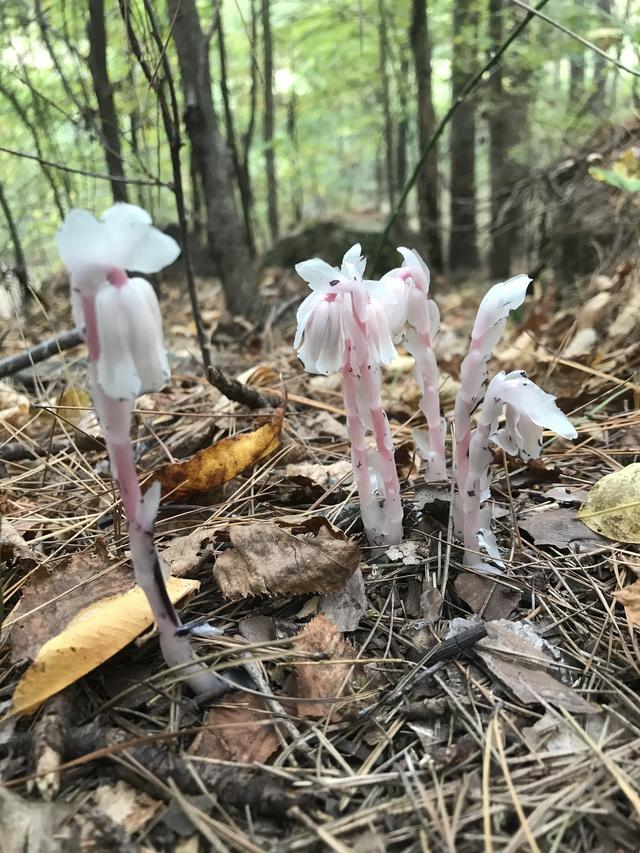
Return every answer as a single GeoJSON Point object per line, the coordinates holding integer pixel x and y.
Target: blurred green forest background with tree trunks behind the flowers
{"type": "Point", "coordinates": [272, 130]}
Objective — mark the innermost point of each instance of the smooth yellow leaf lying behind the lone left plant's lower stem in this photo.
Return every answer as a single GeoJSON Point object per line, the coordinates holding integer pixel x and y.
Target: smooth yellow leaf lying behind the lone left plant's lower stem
{"type": "Point", "coordinates": [94, 635]}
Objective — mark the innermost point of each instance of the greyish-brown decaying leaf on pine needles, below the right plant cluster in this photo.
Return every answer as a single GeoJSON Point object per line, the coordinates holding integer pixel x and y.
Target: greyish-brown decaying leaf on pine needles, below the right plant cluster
{"type": "Point", "coordinates": [513, 654]}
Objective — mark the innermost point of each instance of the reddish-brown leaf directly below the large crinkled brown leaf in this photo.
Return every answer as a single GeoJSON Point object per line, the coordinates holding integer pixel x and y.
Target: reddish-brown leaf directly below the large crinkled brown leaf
{"type": "Point", "coordinates": [323, 680]}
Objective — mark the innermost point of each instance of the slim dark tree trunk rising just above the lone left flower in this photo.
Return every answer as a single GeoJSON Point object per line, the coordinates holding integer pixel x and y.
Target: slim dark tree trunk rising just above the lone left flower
{"type": "Point", "coordinates": [109, 126]}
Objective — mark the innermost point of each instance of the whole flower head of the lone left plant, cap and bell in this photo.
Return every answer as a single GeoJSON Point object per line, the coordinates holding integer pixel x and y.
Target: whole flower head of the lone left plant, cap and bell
{"type": "Point", "coordinates": [118, 316]}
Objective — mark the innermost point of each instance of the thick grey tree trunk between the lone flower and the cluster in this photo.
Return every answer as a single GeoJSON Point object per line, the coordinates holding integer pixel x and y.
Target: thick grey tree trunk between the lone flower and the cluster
{"type": "Point", "coordinates": [225, 233]}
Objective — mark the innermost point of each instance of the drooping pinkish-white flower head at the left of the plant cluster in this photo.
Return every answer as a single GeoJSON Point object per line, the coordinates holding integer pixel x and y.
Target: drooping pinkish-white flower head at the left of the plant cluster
{"type": "Point", "coordinates": [342, 307]}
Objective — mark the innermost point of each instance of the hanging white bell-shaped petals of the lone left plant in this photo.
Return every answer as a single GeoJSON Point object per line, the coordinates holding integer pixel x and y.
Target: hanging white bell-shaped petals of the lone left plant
{"type": "Point", "coordinates": [132, 359]}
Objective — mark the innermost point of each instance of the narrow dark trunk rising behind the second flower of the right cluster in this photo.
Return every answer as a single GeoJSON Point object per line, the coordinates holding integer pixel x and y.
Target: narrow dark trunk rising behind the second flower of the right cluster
{"type": "Point", "coordinates": [428, 200]}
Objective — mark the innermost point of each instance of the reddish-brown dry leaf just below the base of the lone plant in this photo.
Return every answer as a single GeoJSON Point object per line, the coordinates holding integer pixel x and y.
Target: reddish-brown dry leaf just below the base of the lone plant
{"type": "Point", "coordinates": [240, 728]}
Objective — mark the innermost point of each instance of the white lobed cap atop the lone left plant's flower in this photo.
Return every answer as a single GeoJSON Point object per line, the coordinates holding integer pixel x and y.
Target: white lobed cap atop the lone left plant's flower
{"type": "Point", "coordinates": [123, 238]}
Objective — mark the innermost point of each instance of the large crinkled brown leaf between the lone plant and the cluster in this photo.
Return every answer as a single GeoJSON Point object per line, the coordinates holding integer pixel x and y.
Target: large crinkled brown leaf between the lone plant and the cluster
{"type": "Point", "coordinates": [286, 557]}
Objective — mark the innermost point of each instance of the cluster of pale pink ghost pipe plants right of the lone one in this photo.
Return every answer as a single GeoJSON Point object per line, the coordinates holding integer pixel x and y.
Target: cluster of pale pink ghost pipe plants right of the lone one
{"type": "Point", "coordinates": [351, 324]}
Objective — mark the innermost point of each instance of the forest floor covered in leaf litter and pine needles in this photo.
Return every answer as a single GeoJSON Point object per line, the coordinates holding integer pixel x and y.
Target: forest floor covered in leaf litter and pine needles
{"type": "Point", "coordinates": [380, 699]}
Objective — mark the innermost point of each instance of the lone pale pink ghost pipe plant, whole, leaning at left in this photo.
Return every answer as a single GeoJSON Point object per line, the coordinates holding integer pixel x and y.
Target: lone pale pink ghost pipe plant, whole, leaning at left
{"type": "Point", "coordinates": [120, 320]}
